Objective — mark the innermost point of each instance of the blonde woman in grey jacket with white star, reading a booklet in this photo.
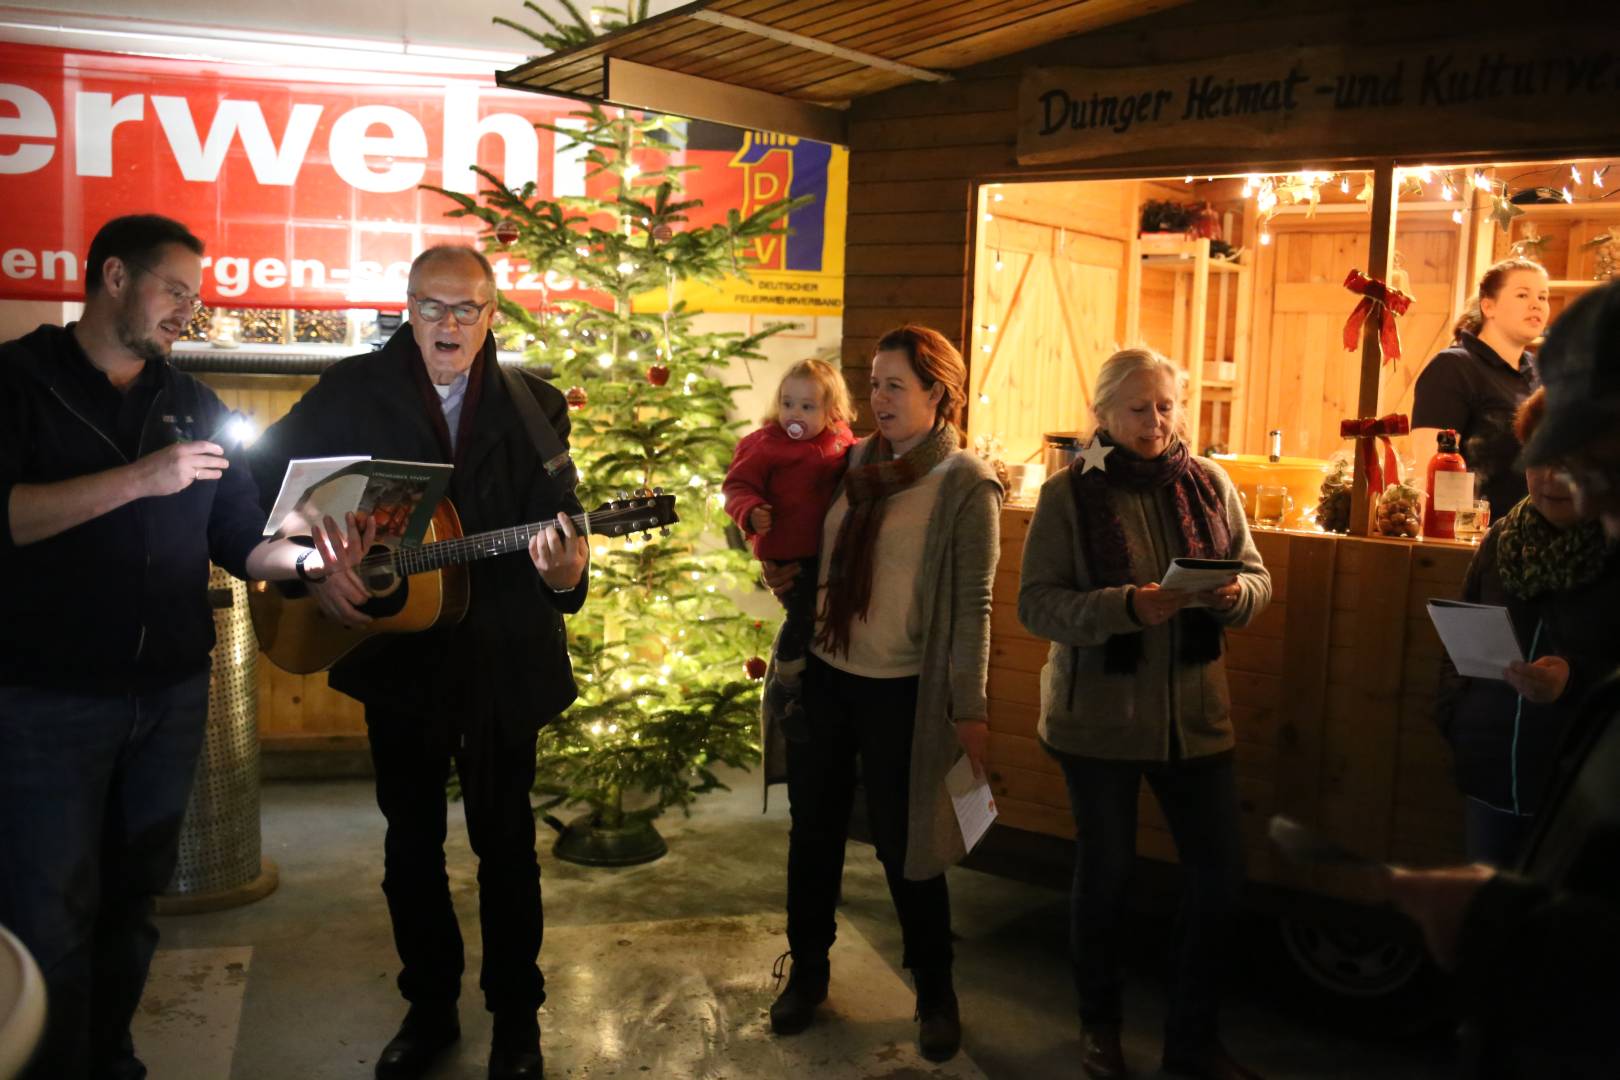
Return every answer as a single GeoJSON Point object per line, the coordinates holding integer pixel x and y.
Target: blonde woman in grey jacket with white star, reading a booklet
{"type": "Point", "coordinates": [1135, 689]}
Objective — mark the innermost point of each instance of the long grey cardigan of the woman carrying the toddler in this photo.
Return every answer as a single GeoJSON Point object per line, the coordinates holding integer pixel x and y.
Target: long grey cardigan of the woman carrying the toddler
{"type": "Point", "coordinates": [953, 606]}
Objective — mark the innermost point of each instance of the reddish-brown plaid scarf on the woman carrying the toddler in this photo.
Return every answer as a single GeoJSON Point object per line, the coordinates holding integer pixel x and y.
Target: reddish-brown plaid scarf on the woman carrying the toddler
{"type": "Point", "coordinates": [869, 487]}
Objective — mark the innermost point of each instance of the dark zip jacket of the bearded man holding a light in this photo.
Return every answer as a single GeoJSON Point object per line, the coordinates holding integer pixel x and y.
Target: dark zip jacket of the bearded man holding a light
{"type": "Point", "coordinates": [119, 603]}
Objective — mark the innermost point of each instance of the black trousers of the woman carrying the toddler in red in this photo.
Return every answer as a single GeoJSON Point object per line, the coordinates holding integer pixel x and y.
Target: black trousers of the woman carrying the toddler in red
{"type": "Point", "coordinates": [868, 720]}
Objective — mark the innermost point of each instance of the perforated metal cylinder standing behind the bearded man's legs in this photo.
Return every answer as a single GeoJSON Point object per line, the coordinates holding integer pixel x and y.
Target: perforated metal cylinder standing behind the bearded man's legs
{"type": "Point", "coordinates": [221, 864]}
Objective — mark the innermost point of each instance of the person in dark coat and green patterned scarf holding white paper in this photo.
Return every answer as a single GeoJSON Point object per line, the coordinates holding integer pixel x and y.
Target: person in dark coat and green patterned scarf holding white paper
{"type": "Point", "coordinates": [1561, 584]}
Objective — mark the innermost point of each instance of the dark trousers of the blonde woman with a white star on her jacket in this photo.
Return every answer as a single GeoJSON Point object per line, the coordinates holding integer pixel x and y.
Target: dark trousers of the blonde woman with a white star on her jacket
{"type": "Point", "coordinates": [1201, 806]}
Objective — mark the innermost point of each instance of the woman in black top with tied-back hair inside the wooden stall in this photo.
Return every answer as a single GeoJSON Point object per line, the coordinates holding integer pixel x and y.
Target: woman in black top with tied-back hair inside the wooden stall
{"type": "Point", "coordinates": [1478, 385]}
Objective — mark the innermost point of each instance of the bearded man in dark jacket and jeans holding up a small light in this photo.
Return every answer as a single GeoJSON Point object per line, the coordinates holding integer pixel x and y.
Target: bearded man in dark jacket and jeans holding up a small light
{"type": "Point", "coordinates": [116, 495]}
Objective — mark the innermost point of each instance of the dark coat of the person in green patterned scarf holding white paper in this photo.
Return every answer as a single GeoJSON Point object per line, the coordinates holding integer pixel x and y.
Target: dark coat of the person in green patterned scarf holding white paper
{"type": "Point", "coordinates": [1506, 750]}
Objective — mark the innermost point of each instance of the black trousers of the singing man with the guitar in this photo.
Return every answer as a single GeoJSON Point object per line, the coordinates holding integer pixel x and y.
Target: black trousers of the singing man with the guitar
{"type": "Point", "coordinates": [412, 770]}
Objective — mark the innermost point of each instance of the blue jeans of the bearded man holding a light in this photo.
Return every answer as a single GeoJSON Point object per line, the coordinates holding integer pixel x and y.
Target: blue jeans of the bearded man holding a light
{"type": "Point", "coordinates": [93, 791]}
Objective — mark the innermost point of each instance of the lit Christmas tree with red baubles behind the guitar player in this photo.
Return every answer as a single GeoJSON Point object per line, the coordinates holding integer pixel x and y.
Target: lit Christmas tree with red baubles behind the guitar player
{"type": "Point", "coordinates": [667, 661]}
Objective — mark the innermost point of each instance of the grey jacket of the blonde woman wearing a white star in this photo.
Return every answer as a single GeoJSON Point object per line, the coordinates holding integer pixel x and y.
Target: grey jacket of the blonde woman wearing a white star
{"type": "Point", "coordinates": [1127, 718]}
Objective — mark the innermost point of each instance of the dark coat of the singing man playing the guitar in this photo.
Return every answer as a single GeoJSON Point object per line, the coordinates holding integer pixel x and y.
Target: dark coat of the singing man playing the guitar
{"type": "Point", "coordinates": [506, 663]}
